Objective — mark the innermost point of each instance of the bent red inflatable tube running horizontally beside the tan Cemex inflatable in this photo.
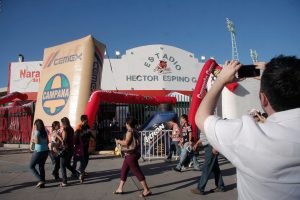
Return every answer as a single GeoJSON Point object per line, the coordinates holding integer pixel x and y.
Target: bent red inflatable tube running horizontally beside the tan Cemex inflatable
{"type": "Point", "coordinates": [119, 97]}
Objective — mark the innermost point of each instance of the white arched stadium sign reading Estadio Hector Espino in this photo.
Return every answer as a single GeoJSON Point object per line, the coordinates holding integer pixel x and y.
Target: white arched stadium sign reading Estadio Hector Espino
{"type": "Point", "coordinates": [153, 67]}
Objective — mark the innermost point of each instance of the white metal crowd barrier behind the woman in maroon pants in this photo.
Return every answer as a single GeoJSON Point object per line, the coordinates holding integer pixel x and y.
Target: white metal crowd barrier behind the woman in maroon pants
{"type": "Point", "coordinates": [155, 144]}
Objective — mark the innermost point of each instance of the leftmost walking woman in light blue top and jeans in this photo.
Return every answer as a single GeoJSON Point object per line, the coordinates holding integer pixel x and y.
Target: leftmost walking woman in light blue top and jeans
{"type": "Point", "coordinates": [40, 154]}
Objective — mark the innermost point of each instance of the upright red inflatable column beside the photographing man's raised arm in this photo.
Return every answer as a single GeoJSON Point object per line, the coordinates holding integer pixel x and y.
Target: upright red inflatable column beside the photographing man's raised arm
{"type": "Point", "coordinates": [210, 67]}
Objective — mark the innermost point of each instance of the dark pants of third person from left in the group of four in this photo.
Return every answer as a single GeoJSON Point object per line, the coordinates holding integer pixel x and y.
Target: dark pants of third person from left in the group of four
{"type": "Point", "coordinates": [65, 163]}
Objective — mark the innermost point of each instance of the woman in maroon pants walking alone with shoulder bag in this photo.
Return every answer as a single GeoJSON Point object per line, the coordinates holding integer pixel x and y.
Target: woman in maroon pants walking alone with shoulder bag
{"type": "Point", "coordinates": [130, 145]}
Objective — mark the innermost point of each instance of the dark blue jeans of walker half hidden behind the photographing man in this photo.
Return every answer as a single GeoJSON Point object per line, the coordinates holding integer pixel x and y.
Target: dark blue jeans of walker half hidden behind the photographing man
{"type": "Point", "coordinates": [210, 165]}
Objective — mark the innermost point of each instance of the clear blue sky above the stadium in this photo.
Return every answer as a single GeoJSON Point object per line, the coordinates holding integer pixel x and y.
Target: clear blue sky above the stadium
{"type": "Point", "coordinates": [271, 27]}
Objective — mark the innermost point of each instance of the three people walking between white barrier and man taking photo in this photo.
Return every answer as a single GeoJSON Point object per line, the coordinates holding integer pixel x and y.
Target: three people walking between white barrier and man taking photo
{"type": "Point", "coordinates": [187, 150]}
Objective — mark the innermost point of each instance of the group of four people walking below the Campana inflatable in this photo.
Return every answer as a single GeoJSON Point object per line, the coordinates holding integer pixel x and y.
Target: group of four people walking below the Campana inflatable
{"type": "Point", "coordinates": [63, 145]}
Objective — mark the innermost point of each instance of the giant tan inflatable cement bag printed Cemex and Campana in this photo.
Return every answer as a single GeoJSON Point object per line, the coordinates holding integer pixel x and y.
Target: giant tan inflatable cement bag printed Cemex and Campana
{"type": "Point", "coordinates": [71, 72]}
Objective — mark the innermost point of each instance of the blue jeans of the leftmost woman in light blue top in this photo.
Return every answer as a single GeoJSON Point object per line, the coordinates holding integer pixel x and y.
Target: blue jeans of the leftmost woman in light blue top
{"type": "Point", "coordinates": [38, 158]}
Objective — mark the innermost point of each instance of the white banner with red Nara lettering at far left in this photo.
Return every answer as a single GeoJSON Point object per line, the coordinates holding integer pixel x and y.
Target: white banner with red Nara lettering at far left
{"type": "Point", "coordinates": [24, 77]}
